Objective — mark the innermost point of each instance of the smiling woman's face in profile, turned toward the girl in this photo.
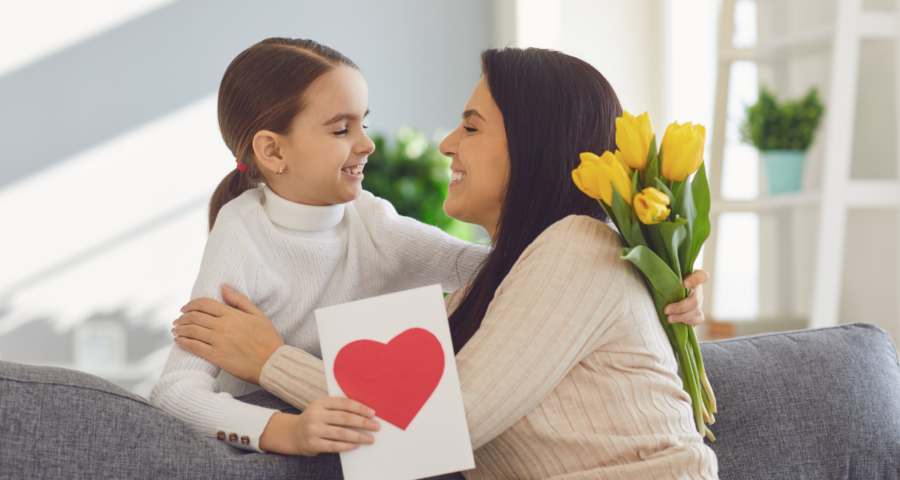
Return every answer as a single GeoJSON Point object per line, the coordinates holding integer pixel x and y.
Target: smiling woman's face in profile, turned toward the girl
{"type": "Point", "coordinates": [480, 166]}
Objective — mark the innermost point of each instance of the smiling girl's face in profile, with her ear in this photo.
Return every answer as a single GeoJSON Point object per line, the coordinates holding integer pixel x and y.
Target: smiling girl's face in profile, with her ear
{"type": "Point", "coordinates": [324, 153]}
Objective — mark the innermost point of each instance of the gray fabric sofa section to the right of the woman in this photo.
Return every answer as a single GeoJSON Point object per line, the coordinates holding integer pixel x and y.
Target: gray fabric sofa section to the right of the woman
{"type": "Point", "coordinates": [814, 404]}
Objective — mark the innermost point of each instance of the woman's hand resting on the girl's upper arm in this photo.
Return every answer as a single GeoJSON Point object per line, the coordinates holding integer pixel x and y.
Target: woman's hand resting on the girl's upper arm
{"type": "Point", "coordinates": [238, 340]}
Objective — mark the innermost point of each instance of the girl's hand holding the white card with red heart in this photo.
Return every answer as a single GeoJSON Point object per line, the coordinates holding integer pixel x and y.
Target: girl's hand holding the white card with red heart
{"type": "Point", "coordinates": [325, 427]}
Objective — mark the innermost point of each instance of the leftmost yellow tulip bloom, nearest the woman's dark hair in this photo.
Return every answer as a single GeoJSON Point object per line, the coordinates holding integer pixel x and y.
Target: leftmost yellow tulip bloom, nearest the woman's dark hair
{"type": "Point", "coordinates": [596, 176]}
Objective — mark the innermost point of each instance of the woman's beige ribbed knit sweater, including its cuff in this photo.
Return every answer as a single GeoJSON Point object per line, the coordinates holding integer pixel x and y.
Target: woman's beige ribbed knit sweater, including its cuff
{"type": "Point", "coordinates": [570, 375]}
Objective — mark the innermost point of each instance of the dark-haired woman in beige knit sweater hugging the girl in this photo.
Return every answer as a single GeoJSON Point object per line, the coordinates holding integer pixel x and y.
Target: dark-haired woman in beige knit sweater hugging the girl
{"type": "Point", "coordinates": [564, 368]}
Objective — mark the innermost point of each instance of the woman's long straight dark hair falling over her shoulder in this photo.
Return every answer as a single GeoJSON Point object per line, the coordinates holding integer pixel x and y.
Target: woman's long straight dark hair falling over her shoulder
{"type": "Point", "coordinates": [554, 107]}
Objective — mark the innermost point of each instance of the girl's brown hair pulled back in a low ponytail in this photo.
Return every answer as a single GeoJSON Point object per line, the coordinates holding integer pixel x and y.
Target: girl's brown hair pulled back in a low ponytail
{"type": "Point", "coordinates": [263, 89]}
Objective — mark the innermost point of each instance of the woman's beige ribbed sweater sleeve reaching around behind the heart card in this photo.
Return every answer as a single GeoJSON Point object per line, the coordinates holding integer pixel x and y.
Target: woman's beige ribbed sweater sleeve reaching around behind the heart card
{"type": "Point", "coordinates": [550, 311]}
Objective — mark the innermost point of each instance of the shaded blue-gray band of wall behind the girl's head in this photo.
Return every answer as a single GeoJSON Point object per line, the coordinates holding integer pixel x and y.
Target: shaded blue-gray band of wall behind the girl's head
{"type": "Point", "coordinates": [419, 57]}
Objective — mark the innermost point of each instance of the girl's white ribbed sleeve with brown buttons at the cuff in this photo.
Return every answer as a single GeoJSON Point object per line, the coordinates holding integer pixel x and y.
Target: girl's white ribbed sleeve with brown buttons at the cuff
{"type": "Point", "coordinates": [187, 387]}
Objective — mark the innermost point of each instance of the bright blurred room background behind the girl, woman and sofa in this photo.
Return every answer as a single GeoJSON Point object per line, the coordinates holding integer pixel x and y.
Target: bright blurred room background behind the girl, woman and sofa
{"type": "Point", "coordinates": [111, 149]}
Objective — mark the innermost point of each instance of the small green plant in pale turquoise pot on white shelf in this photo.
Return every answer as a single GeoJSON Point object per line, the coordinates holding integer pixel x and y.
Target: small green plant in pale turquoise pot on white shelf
{"type": "Point", "coordinates": [782, 133]}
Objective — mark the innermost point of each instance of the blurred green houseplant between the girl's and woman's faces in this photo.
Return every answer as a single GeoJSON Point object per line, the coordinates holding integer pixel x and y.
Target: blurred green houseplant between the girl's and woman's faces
{"type": "Point", "coordinates": [413, 176]}
